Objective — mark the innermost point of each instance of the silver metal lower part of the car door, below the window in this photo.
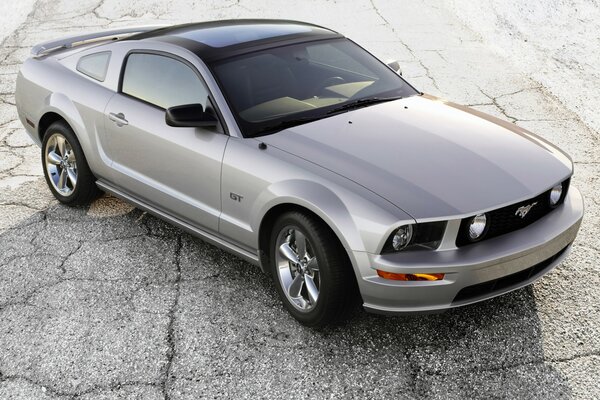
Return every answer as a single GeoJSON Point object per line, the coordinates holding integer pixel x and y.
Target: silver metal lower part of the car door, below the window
{"type": "Point", "coordinates": [158, 162]}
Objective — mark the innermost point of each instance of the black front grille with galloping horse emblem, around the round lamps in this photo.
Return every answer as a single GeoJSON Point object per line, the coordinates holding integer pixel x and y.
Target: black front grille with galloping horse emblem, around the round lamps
{"type": "Point", "coordinates": [505, 219]}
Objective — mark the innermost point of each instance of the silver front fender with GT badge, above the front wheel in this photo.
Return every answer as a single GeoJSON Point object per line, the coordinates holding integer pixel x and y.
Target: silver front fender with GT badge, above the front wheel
{"type": "Point", "coordinates": [271, 177]}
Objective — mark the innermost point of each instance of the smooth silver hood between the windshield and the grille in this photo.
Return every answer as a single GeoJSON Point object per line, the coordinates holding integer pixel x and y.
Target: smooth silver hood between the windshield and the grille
{"type": "Point", "coordinates": [430, 158]}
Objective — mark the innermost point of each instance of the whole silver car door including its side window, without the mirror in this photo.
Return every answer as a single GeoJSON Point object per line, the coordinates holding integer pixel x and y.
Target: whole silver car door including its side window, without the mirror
{"type": "Point", "coordinates": [175, 169]}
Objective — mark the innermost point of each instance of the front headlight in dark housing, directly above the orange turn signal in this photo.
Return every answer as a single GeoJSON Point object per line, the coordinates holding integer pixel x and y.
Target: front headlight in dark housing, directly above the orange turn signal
{"type": "Point", "coordinates": [426, 236]}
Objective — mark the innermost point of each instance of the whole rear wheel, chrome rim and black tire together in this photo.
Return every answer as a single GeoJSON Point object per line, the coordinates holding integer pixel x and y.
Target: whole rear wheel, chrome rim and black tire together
{"type": "Point", "coordinates": [65, 168]}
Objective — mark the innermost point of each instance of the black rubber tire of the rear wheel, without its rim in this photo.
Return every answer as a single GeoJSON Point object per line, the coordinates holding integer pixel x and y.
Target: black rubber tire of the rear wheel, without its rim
{"type": "Point", "coordinates": [84, 191]}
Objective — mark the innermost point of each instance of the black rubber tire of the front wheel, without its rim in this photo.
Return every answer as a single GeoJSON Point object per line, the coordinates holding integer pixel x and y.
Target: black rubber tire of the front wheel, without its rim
{"type": "Point", "coordinates": [337, 283]}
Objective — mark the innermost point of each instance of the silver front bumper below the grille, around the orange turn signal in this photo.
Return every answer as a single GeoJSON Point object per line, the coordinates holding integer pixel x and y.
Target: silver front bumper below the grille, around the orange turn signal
{"type": "Point", "coordinates": [475, 272]}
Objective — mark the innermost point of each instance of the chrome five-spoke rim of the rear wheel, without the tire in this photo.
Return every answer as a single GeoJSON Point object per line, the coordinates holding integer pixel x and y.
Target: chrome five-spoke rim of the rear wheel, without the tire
{"type": "Point", "coordinates": [61, 165]}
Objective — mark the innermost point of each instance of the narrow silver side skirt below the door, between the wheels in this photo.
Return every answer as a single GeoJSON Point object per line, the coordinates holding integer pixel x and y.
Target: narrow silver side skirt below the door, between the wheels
{"type": "Point", "coordinates": [193, 230]}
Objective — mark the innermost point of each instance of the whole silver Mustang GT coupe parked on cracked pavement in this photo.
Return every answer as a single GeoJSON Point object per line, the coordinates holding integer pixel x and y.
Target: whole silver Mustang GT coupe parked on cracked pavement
{"type": "Point", "coordinates": [292, 147]}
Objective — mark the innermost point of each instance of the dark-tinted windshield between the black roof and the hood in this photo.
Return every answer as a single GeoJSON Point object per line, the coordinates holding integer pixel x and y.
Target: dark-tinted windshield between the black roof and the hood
{"type": "Point", "coordinates": [276, 88]}
